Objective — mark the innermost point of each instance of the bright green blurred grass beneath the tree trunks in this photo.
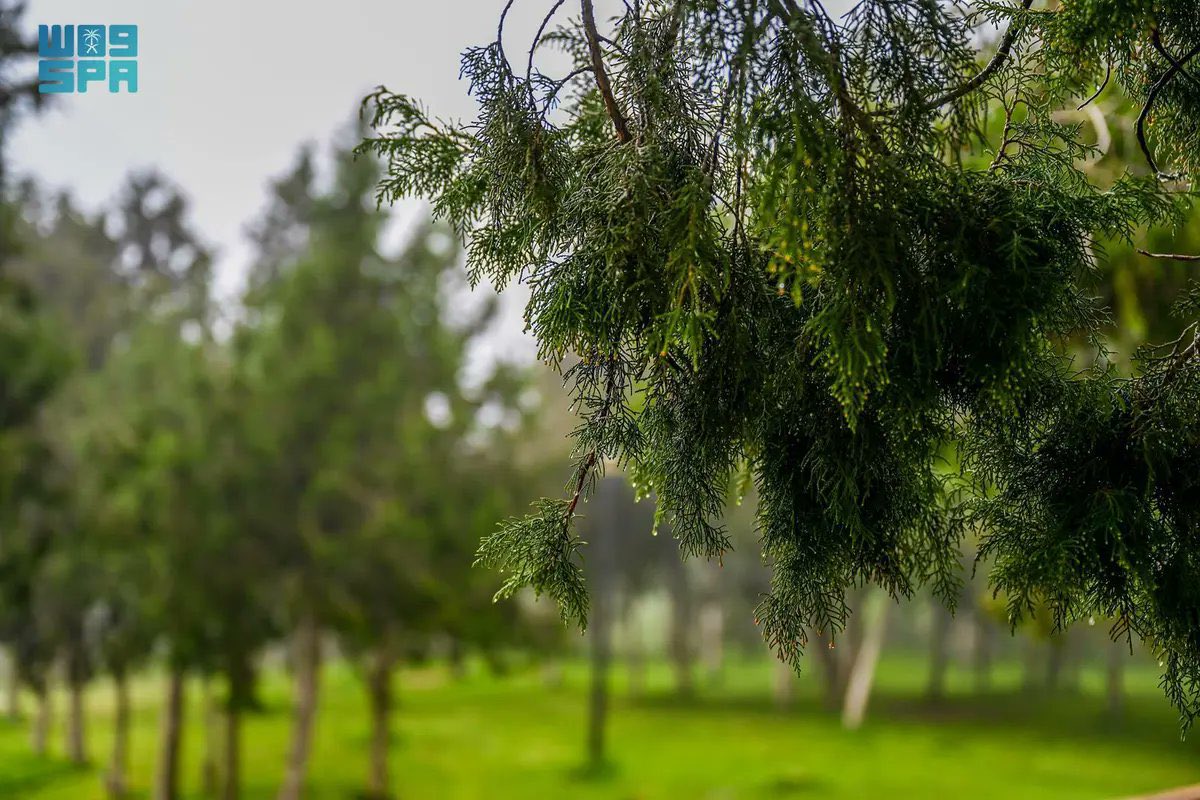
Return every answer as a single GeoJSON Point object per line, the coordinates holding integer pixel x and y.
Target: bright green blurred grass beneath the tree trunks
{"type": "Point", "coordinates": [487, 737]}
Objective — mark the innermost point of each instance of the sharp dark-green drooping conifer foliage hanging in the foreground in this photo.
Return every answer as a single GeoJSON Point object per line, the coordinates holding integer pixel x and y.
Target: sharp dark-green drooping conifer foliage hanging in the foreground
{"type": "Point", "coordinates": [785, 251]}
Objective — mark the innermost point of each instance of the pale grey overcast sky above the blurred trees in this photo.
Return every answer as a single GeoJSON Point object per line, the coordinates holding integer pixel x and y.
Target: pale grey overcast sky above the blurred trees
{"type": "Point", "coordinates": [230, 89]}
